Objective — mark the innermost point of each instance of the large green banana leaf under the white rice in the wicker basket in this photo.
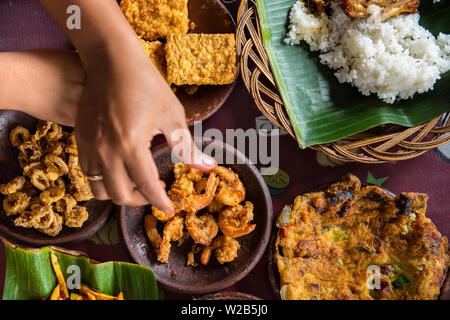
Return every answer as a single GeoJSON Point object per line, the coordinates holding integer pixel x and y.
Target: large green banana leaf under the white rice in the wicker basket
{"type": "Point", "coordinates": [323, 110]}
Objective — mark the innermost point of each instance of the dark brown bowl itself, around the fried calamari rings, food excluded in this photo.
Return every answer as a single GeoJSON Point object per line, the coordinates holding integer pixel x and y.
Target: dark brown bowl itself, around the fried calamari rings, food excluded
{"type": "Point", "coordinates": [98, 210]}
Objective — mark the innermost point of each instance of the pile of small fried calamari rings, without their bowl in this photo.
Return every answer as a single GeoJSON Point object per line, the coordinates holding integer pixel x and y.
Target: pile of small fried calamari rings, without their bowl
{"type": "Point", "coordinates": [46, 195]}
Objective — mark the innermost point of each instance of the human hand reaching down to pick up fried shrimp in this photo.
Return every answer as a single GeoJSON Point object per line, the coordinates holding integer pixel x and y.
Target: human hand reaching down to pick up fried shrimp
{"type": "Point", "coordinates": [124, 104]}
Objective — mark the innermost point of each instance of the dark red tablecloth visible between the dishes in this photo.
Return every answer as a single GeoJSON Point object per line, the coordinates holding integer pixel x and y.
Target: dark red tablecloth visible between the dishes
{"type": "Point", "coordinates": [24, 24]}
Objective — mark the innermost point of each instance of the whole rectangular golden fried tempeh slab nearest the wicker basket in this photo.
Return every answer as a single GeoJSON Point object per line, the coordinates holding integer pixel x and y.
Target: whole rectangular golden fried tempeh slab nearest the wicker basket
{"type": "Point", "coordinates": [201, 59]}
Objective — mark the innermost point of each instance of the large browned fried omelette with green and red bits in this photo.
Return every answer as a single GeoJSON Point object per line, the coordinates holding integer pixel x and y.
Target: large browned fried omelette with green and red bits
{"type": "Point", "coordinates": [350, 242]}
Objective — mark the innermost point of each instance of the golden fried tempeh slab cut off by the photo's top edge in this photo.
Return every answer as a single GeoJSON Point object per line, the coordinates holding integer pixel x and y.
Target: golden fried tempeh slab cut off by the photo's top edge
{"type": "Point", "coordinates": [155, 19]}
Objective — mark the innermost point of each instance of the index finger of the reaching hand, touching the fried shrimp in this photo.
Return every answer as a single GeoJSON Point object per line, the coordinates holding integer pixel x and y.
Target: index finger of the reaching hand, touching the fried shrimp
{"type": "Point", "coordinates": [143, 172]}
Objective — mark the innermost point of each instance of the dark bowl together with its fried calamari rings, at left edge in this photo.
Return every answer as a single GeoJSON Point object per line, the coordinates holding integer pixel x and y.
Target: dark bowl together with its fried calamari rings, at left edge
{"type": "Point", "coordinates": [46, 199]}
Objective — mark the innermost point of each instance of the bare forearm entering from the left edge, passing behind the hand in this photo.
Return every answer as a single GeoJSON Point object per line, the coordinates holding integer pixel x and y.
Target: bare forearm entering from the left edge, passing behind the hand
{"type": "Point", "coordinates": [44, 83]}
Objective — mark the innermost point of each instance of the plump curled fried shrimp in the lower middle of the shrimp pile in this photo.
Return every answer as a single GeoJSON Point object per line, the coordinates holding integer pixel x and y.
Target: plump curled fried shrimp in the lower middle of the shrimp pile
{"type": "Point", "coordinates": [202, 229]}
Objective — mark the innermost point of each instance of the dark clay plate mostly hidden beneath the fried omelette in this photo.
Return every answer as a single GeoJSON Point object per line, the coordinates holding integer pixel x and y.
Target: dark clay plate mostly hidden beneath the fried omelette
{"type": "Point", "coordinates": [274, 276]}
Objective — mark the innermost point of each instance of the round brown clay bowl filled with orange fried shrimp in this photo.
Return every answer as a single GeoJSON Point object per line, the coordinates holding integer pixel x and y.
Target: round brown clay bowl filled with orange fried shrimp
{"type": "Point", "coordinates": [220, 228]}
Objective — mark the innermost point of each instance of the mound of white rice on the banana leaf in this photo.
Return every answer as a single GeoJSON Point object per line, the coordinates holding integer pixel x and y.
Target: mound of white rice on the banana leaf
{"type": "Point", "coordinates": [393, 59]}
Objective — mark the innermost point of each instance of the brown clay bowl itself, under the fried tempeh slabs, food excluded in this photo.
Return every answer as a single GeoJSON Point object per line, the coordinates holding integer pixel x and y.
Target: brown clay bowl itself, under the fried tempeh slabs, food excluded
{"type": "Point", "coordinates": [209, 16]}
